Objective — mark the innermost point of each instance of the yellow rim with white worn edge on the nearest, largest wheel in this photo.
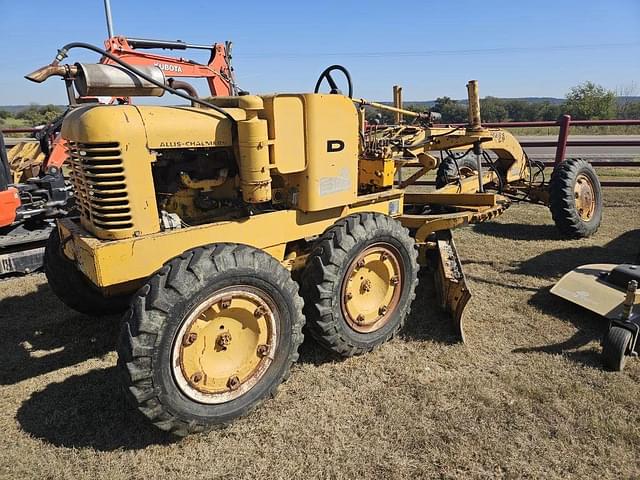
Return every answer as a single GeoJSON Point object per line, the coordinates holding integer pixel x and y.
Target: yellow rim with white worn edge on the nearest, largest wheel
{"type": "Point", "coordinates": [225, 346]}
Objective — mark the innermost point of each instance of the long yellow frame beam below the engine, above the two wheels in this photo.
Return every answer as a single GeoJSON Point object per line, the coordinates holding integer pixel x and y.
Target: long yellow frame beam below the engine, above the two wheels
{"type": "Point", "coordinates": [102, 261]}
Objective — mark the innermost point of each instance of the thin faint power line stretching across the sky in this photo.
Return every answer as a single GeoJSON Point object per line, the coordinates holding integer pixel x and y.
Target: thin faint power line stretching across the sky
{"type": "Point", "coordinates": [434, 53]}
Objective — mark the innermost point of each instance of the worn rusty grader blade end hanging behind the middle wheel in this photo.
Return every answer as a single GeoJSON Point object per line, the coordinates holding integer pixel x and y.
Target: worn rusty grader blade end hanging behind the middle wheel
{"type": "Point", "coordinates": [451, 285]}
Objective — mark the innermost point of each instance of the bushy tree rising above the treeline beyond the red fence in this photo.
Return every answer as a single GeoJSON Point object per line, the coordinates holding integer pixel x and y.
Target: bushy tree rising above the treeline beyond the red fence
{"type": "Point", "coordinates": [589, 101]}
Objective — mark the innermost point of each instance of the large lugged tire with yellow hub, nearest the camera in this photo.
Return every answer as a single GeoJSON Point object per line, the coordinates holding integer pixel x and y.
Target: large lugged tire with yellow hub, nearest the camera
{"type": "Point", "coordinates": [210, 335]}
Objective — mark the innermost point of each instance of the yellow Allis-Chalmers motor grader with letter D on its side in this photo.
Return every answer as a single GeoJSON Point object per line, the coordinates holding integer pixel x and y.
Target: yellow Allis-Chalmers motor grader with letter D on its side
{"type": "Point", "coordinates": [194, 221]}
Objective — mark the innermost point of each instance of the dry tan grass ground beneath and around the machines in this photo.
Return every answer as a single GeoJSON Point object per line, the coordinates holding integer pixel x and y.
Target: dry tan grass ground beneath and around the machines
{"type": "Point", "coordinates": [525, 397]}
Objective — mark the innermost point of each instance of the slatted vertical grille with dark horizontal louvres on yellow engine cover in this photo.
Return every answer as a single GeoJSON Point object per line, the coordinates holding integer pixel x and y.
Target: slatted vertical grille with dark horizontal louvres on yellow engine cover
{"type": "Point", "coordinates": [99, 180]}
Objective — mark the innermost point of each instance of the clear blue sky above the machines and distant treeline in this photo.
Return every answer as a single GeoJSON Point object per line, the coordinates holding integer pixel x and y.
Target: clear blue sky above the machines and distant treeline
{"type": "Point", "coordinates": [431, 48]}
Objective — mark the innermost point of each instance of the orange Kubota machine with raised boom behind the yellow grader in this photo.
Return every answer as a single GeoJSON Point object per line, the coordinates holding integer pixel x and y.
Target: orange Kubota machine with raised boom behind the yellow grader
{"type": "Point", "coordinates": [27, 209]}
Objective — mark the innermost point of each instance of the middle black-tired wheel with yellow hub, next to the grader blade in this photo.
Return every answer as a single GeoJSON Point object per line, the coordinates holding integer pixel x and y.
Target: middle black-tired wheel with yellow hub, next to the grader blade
{"type": "Point", "coordinates": [359, 283]}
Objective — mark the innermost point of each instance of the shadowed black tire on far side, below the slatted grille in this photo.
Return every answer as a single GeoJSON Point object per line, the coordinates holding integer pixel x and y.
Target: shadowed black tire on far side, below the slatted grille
{"type": "Point", "coordinates": [73, 288]}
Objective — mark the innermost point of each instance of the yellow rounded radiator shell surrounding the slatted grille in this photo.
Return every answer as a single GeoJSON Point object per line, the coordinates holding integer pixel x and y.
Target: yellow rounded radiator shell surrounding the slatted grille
{"type": "Point", "coordinates": [110, 168]}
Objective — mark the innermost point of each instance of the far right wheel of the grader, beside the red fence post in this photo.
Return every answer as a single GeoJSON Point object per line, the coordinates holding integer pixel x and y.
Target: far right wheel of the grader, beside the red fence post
{"type": "Point", "coordinates": [575, 198]}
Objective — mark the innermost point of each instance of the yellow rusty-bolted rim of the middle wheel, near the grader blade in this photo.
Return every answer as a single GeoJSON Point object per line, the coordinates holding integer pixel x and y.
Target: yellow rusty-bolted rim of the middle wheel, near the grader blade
{"type": "Point", "coordinates": [371, 288]}
